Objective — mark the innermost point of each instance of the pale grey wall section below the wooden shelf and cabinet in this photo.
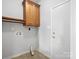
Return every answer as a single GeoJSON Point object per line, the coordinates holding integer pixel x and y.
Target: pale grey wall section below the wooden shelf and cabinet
{"type": "Point", "coordinates": [13, 43]}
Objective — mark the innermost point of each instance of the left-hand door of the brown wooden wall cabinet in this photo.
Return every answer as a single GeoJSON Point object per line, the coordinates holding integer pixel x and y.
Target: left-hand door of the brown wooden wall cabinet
{"type": "Point", "coordinates": [29, 14]}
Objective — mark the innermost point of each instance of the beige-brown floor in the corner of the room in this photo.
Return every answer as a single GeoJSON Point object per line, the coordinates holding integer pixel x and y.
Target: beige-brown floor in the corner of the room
{"type": "Point", "coordinates": [37, 55]}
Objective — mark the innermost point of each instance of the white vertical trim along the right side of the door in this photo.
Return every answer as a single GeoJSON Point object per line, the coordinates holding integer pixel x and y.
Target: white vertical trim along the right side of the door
{"type": "Point", "coordinates": [73, 30]}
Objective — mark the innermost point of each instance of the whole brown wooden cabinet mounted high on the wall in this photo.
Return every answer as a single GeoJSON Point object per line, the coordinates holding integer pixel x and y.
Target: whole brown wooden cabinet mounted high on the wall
{"type": "Point", "coordinates": [31, 13]}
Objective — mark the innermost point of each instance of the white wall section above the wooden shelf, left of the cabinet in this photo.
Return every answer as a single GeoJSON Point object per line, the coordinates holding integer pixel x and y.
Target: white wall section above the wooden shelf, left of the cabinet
{"type": "Point", "coordinates": [12, 8]}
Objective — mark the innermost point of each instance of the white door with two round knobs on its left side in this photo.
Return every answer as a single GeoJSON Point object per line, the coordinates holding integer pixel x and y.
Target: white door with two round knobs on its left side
{"type": "Point", "coordinates": [60, 32]}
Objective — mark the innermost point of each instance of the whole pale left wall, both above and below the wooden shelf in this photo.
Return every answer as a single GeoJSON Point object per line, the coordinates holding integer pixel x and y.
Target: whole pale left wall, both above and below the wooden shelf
{"type": "Point", "coordinates": [15, 44]}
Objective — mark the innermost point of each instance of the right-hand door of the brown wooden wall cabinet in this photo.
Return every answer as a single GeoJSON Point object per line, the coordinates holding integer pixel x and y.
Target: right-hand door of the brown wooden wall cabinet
{"type": "Point", "coordinates": [36, 16]}
